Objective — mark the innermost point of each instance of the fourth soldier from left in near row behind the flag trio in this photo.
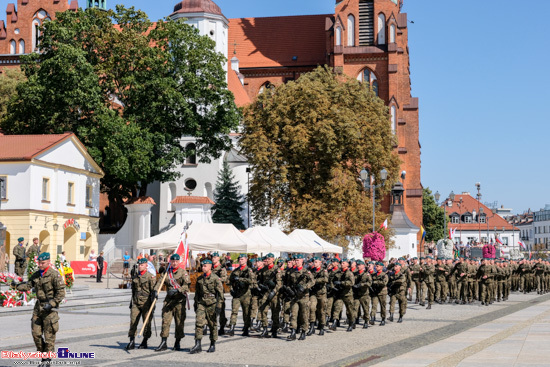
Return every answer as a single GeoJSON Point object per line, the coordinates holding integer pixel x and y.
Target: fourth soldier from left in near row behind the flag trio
{"type": "Point", "coordinates": [318, 298]}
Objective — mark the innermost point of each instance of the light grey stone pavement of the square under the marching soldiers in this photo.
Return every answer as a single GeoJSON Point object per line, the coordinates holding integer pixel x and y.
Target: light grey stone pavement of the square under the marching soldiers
{"type": "Point", "coordinates": [446, 335]}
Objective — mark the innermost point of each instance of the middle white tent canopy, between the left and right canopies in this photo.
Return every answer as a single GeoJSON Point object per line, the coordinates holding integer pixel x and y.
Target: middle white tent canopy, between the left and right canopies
{"type": "Point", "coordinates": [272, 239]}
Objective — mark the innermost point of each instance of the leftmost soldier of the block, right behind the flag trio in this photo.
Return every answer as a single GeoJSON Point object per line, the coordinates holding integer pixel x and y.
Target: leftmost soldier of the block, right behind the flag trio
{"type": "Point", "coordinates": [241, 280]}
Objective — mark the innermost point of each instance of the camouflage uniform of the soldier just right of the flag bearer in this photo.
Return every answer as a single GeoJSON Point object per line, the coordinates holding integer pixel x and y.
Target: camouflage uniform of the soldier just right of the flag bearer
{"type": "Point", "coordinates": [208, 297]}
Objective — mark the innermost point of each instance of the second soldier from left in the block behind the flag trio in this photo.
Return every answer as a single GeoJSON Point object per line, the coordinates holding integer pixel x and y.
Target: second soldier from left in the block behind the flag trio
{"type": "Point", "coordinates": [270, 281]}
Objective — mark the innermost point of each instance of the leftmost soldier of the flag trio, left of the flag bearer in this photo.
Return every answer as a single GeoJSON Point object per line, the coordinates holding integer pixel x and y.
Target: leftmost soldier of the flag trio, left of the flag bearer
{"type": "Point", "coordinates": [143, 294]}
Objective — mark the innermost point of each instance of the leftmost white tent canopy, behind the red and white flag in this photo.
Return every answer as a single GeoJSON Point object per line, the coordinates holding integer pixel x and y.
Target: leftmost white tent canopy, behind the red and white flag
{"type": "Point", "coordinates": [201, 237]}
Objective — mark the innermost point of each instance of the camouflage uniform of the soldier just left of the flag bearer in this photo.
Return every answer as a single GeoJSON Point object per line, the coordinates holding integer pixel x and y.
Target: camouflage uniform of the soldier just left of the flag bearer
{"type": "Point", "coordinates": [143, 286]}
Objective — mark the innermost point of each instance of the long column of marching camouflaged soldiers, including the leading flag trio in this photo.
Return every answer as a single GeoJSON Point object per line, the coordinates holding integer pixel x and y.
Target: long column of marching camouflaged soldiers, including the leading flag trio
{"type": "Point", "coordinates": [303, 297]}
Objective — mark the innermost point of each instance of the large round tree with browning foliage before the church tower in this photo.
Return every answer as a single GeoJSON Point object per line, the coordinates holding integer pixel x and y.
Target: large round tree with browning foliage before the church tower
{"type": "Point", "coordinates": [307, 141]}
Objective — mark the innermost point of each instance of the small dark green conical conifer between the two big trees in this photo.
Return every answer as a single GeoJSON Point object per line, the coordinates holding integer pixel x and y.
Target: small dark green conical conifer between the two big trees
{"type": "Point", "coordinates": [229, 201]}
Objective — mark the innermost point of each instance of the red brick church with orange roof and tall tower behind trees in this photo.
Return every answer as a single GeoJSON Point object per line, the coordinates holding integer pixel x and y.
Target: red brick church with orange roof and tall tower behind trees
{"type": "Point", "coordinates": [365, 39]}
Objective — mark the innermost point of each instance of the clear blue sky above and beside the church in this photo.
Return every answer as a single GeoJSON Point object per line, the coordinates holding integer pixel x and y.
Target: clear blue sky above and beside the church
{"type": "Point", "coordinates": [479, 69]}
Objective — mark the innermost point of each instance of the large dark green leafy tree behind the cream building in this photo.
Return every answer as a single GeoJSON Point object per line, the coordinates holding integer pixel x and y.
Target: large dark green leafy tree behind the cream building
{"type": "Point", "coordinates": [129, 92]}
